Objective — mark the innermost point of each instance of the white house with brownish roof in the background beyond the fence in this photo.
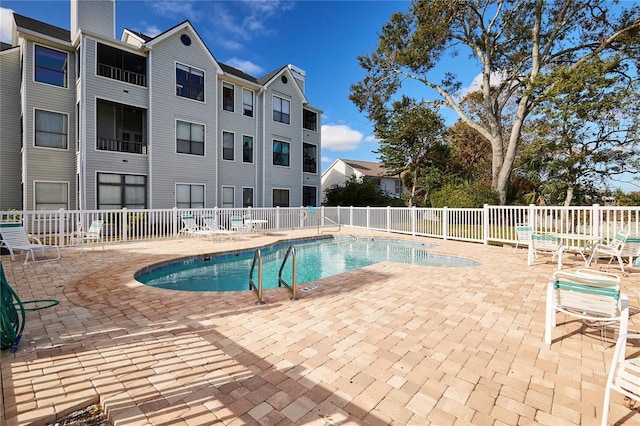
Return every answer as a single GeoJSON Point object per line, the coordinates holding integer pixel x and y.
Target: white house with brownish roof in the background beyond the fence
{"type": "Point", "coordinates": [341, 170]}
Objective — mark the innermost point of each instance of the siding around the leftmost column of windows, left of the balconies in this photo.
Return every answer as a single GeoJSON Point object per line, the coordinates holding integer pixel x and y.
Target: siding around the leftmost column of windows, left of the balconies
{"type": "Point", "coordinates": [47, 164]}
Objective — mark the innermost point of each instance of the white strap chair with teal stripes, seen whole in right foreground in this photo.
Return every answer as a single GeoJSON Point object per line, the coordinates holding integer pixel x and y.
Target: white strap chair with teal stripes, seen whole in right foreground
{"type": "Point", "coordinates": [592, 296]}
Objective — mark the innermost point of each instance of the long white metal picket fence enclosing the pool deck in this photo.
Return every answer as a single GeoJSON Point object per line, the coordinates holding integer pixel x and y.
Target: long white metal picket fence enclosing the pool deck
{"type": "Point", "coordinates": [483, 225]}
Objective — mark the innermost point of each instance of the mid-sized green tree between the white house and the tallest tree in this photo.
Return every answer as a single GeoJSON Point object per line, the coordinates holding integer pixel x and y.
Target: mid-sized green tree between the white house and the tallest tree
{"type": "Point", "coordinates": [411, 139]}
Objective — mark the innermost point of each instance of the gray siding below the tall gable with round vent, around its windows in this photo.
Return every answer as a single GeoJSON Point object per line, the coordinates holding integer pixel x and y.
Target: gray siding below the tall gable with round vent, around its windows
{"type": "Point", "coordinates": [167, 166]}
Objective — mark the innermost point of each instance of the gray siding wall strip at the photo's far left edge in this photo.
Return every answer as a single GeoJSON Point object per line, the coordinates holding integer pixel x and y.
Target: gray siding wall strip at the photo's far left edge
{"type": "Point", "coordinates": [10, 157]}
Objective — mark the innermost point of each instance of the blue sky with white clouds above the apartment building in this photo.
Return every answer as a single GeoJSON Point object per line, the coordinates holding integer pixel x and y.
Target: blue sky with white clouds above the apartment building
{"type": "Point", "coordinates": [324, 38]}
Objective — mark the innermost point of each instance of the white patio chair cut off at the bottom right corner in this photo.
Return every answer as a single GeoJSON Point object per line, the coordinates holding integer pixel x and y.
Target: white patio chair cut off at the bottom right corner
{"type": "Point", "coordinates": [624, 376]}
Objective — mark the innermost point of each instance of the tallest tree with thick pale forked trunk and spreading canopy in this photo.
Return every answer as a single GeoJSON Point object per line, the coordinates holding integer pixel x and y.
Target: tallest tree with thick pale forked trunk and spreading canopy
{"type": "Point", "coordinates": [516, 44]}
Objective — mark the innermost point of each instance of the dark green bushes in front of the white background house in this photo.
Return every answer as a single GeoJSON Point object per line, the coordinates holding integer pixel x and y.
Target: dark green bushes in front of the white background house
{"type": "Point", "coordinates": [359, 193]}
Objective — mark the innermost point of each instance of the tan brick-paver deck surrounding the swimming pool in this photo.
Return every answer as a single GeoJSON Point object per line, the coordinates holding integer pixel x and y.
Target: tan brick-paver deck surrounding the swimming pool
{"type": "Point", "coordinates": [387, 344]}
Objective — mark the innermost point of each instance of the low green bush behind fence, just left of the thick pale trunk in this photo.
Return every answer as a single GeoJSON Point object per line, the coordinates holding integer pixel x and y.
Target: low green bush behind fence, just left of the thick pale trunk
{"type": "Point", "coordinates": [464, 195]}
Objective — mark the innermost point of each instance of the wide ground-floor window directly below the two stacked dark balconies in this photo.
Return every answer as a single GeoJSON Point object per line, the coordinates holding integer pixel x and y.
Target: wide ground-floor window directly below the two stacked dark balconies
{"type": "Point", "coordinates": [118, 191]}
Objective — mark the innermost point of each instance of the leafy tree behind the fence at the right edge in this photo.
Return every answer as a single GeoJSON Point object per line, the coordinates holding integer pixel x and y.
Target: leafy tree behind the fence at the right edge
{"type": "Point", "coordinates": [587, 131]}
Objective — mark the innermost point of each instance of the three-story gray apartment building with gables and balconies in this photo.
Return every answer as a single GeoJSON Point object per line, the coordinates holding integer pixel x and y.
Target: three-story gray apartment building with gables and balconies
{"type": "Point", "coordinates": [89, 121]}
